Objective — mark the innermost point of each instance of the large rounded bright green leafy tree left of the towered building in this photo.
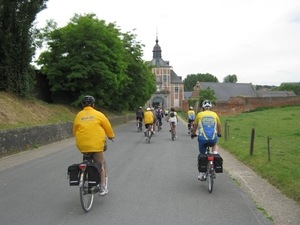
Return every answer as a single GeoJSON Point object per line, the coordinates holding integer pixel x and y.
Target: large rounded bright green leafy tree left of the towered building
{"type": "Point", "coordinates": [88, 56]}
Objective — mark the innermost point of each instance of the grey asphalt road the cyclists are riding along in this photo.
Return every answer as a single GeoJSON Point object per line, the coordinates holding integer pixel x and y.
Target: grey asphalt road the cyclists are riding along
{"type": "Point", "coordinates": [152, 183]}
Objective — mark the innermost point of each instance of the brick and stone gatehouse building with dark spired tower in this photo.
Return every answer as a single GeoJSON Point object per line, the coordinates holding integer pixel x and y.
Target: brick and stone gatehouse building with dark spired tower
{"type": "Point", "coordinates": [170, 87]}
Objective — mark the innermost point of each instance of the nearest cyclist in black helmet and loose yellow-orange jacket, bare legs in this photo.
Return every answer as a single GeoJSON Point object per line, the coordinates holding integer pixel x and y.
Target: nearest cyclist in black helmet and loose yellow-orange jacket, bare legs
{"type": "Point", "coordinates": [90, 128]}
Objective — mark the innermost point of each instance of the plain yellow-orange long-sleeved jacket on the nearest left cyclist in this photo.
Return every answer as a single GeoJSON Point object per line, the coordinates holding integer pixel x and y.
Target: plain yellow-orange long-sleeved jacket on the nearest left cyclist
{"type": "Point", "coordinates": [90, 129]}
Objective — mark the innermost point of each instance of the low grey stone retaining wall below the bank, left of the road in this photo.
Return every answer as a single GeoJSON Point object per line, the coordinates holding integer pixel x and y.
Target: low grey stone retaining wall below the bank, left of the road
{"type": "Point", "coordinates": [21, 139]}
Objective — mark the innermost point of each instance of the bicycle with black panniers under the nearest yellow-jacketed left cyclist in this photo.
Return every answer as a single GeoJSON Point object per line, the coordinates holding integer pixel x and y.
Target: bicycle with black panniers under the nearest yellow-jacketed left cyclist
{"type": "Point", "coordinates": [87, 175]}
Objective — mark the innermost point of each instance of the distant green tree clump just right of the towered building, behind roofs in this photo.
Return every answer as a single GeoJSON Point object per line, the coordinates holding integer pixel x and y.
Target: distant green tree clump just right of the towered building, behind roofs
{"type": "Point", "coordinates": [191, 80]}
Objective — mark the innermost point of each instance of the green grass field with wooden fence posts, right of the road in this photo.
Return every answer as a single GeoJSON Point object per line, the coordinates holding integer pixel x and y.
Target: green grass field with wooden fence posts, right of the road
{"type": "Point", "coordinates": [282, 125]}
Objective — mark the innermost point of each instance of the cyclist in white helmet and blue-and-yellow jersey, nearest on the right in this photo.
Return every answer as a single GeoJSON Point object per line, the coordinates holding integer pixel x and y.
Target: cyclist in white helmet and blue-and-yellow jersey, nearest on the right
{"type": "Point", "coordinates": [208, 128]}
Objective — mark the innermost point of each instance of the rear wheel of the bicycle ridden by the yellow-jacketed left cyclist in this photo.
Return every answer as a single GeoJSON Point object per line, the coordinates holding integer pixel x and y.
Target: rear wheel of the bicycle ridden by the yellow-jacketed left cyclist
{"type": "Point", "coordinates": [86, 199]}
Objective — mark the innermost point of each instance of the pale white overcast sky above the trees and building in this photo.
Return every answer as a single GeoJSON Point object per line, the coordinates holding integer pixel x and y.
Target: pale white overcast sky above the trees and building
{"type": "Point", "coordinates": [257, 40]}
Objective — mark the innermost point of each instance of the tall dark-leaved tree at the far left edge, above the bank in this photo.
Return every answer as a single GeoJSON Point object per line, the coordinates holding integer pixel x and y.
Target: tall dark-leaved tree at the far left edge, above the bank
{"type": "Point", "coordinates": [17, 44]}
